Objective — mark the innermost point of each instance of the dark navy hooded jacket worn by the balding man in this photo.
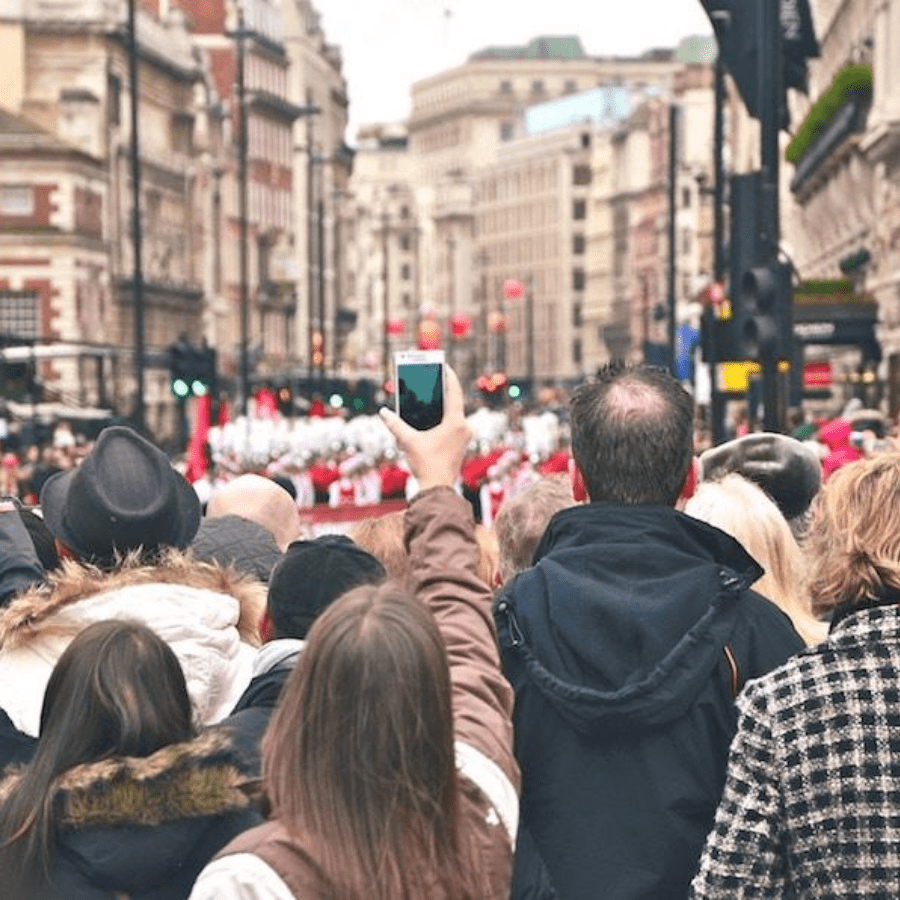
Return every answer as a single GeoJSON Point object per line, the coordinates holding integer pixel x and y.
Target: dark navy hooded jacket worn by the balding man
{"type": "Point", "coordinates": [626, 644]}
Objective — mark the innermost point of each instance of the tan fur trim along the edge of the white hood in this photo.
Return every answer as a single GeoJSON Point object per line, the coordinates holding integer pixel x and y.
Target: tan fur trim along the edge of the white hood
{"type": "Point", "coordinates": [75, 581]}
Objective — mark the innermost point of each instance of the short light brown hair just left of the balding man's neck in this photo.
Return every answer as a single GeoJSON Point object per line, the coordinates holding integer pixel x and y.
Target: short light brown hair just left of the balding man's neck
{"type": "Point", "coordinates": [523, 519]}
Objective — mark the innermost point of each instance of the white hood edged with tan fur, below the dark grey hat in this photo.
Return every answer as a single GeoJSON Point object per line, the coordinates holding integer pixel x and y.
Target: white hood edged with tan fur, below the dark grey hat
{"type": "Point", "coordinates": [207, 614]}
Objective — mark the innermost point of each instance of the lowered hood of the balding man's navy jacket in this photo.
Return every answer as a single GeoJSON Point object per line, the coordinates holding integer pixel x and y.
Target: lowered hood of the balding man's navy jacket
{"type": "Point", "coordinates": [625, 614]}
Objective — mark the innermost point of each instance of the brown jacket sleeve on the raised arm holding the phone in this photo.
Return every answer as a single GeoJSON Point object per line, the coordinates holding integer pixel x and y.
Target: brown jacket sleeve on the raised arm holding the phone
{"type": "Point", "coordinates": [440, 538]}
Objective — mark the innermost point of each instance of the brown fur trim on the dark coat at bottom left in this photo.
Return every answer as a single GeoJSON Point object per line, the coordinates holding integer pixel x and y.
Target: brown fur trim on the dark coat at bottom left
{"type": "Point", "coordinates": [178, 782]}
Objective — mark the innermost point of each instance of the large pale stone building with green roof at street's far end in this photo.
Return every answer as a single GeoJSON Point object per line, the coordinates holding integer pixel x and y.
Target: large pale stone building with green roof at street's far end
{"type": "Point", "coordinates": [499, 160]}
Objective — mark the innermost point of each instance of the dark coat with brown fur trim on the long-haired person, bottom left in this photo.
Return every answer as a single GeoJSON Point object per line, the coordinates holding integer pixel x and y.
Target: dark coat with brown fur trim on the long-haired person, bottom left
{"type": "Point", "coordinates": [143, 828]}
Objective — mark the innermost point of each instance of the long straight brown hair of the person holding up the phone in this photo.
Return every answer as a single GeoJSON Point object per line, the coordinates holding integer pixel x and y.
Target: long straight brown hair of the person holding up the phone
{"type": "Point", "coordinates": [359, 754]}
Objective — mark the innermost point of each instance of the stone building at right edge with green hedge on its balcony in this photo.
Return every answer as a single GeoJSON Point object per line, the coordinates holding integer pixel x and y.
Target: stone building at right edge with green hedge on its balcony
{"type": "Point", "coordinates": [841, 209]}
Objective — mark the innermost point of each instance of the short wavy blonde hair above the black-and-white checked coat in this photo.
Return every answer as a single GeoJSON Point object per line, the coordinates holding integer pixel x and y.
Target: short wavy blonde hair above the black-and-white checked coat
{"type": "Point", "coordinates": [854, 539]}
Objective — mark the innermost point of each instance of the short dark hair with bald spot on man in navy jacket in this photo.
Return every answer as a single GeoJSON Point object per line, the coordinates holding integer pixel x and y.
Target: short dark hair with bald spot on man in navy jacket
{"type": "Point", "coordinates": [632, 434]}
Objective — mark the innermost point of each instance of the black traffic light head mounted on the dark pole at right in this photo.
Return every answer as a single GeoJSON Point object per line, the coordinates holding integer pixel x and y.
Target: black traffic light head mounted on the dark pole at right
{"type": "Point", "coordinates": [765, 312]}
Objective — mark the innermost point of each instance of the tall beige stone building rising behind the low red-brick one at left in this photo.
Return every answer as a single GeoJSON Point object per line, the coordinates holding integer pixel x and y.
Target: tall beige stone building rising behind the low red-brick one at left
{"type": "Point", "coordinates": [67, 73]}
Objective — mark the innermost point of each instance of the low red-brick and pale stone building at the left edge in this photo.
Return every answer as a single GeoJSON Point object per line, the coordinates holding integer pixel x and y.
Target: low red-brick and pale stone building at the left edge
{"type": "Point", "coordinates": [54, 272]}
